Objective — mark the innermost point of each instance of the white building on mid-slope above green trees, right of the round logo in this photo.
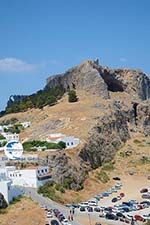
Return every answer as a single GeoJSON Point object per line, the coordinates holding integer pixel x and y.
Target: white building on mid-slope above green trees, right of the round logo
{"type": "Point", "coordinates": [70, 141]}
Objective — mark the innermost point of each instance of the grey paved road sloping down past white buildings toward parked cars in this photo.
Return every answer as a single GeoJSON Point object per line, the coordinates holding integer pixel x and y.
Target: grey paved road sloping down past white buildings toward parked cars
{"type": "Point", "coordinates": [47, 202]}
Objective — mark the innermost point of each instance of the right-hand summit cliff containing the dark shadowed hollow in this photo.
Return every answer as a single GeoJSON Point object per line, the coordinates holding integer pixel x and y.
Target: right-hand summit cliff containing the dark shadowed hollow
{"type": "Point", "coordinates": [134, 82]}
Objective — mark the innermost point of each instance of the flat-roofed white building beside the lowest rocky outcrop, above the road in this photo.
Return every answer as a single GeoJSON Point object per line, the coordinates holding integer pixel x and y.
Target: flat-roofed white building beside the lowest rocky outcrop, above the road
{"type": "Point", "coordinates": [33, 177]}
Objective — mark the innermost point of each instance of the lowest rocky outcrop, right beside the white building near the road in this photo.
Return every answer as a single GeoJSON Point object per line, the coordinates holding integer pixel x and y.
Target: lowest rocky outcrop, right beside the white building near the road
{"type": "Point", "coordinates": [65, 172]}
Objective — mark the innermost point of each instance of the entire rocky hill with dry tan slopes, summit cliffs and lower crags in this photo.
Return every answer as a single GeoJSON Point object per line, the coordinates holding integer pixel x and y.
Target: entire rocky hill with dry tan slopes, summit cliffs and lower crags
{"type": "Point", "coordinates": [114, 105]}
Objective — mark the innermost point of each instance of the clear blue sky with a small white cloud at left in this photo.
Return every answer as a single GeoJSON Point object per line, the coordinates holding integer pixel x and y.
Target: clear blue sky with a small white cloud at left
{"type": "Point", "coordinates": [43, 37]}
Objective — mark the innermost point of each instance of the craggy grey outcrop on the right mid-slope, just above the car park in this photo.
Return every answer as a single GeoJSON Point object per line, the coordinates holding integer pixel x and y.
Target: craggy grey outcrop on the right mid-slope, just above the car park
{"type": "Point", "coordinates": [105, 139]}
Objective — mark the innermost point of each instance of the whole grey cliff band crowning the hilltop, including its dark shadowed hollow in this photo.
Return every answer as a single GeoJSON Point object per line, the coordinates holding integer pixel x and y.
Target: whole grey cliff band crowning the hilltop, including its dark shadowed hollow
{"type": "Point", "coordinates": [99, 80]}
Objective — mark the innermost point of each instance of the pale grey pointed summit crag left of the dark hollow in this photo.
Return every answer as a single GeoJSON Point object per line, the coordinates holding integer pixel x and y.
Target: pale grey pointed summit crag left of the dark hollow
{"type": "Point", "coordinates": [83, 77]}
